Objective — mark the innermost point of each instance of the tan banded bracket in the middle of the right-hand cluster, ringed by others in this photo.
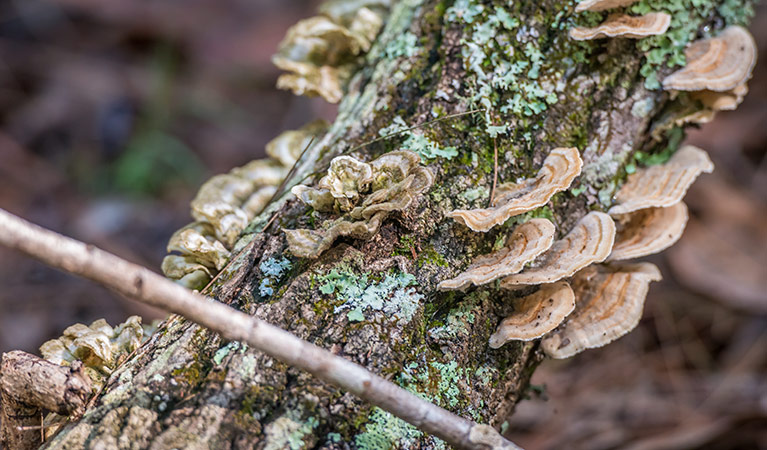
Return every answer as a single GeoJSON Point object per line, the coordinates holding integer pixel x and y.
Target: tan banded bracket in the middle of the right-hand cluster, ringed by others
{"type": "Point", "coordinates": [590, 241]}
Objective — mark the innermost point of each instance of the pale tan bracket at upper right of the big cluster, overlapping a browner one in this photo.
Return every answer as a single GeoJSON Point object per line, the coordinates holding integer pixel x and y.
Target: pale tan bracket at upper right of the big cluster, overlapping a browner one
{"type": "Point", "coordinates": [662, 185]}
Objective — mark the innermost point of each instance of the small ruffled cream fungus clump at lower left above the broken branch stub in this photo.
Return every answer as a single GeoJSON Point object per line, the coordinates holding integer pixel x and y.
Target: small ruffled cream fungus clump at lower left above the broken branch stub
{"type": "Point", "coordinates": [99, 346]}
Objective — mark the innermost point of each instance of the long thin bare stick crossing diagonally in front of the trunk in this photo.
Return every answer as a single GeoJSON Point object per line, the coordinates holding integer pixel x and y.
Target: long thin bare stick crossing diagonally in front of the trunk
{"type": "Point", "coordinates": [143, 285]}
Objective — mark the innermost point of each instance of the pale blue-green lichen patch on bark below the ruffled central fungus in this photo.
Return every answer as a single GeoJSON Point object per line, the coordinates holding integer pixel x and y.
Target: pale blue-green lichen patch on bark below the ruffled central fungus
{"type": "Point", "coordinates": [394, 295]}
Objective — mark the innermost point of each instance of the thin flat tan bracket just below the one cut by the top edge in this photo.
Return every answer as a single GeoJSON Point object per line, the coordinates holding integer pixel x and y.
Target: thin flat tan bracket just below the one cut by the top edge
{"type": "Point", "coordinates": [625, 26]}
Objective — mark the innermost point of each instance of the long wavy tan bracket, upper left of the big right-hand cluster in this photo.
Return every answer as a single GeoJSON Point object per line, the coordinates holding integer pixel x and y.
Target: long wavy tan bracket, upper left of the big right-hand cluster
{"type": "Point", "coordinates": [559, 170]}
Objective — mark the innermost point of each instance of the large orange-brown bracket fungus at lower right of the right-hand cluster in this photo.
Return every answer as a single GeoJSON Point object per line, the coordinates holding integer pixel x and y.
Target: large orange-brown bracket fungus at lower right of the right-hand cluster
{"type": "Point", "coordinates": [609, 300]}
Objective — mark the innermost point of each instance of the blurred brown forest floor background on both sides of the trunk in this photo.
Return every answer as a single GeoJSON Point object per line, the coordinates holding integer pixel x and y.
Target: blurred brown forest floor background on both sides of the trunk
{"type": "Point", "coordinates": [113, 112]}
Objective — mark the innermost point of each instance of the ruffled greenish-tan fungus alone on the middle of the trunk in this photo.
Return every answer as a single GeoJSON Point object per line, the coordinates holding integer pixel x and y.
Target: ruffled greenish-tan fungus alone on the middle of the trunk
{"type": "Point", "coordinates": [364, 193]}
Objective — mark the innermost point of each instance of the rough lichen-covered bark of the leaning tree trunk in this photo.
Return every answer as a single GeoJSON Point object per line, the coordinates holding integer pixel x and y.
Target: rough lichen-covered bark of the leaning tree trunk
{"type": "Point", "coordinates": [187, 389]}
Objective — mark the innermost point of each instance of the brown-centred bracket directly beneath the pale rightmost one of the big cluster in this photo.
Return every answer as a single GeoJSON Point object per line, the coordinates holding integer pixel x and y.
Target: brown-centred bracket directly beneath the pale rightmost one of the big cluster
{"type": "Point", "coordinates": [648, 231]}
